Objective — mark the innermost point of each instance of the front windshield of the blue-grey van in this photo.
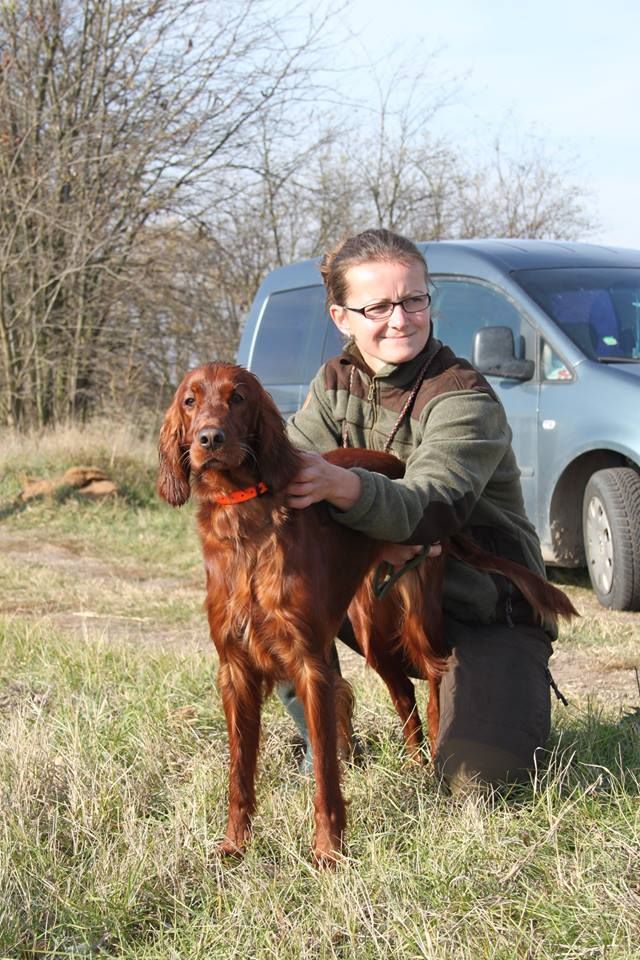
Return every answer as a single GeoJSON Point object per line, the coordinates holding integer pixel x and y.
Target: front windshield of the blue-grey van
{"type": "Point", "coordinates": [597, 307]}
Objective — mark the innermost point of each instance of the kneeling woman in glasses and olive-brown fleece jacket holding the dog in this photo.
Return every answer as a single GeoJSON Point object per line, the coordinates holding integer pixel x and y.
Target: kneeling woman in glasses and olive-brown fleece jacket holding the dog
{"type": "Point", "coordinates": [396, 388]}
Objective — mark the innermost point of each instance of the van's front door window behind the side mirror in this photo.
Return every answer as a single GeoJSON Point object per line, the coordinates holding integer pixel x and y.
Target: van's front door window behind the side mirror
{"type": "Point", "coordinates": [460, 307]}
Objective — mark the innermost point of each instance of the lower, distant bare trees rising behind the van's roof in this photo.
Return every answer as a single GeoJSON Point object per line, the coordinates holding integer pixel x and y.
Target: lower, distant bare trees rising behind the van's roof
{"type": "Point", "coordinates": [383, 166]}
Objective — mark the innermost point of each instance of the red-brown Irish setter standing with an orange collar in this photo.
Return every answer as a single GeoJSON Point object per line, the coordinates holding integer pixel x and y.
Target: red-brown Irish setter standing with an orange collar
{"type": "Point", "coordinates": [280, 582]}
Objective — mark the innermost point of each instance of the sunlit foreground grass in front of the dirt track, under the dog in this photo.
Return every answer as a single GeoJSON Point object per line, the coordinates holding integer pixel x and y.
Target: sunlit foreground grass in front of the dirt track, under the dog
{"type": "Point", "coordinates": [113, 771]}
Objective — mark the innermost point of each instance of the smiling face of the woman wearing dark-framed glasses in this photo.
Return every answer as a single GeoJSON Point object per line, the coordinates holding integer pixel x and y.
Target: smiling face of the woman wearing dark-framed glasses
{"type": "Point", "coordinates": [401, 336]}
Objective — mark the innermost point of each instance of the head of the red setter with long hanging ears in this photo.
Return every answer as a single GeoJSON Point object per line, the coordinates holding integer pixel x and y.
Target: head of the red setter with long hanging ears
{"type": "Point", "coordinates": [221, 420]}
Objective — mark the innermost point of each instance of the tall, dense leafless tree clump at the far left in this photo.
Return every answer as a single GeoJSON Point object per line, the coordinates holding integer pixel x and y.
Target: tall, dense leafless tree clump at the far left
{"type": "Point", "coordinates": [116, 118]}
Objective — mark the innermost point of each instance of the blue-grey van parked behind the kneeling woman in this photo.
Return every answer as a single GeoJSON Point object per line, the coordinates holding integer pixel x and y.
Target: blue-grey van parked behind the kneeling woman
{"type": "Point", "coordinates": [555, 326]}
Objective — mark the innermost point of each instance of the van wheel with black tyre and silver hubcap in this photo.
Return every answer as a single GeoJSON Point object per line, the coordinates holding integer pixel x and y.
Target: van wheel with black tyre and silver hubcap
{"type": "Point", "coordinates": [611, 532]}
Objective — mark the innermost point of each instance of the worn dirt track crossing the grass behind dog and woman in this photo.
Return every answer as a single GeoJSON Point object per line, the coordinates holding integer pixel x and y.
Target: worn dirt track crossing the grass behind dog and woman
{"type": "Point", "coordinates": [603, 667]}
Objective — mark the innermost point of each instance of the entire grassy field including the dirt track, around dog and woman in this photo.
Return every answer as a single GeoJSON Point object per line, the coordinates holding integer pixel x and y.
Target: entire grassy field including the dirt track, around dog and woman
{"type": "Point", "coordinates": [113, 771]}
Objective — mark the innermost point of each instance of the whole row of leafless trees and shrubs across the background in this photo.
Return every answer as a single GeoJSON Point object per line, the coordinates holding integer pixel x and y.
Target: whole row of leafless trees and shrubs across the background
{"type": "Point", "coordinates": [158, 158]}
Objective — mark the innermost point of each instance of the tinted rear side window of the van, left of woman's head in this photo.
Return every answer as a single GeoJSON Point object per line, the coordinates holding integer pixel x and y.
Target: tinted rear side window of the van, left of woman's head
{"type": "Point", "coordinates": [286, 348]}
